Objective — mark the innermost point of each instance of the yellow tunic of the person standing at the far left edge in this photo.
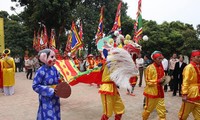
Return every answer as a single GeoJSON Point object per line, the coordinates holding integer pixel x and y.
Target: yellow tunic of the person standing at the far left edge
{"type": "Point", "coordinates": [8, 65]}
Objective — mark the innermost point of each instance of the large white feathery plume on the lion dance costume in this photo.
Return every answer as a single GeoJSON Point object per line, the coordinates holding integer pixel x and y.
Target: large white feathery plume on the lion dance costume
{"type": "Point", "coordinates": [121, 66]}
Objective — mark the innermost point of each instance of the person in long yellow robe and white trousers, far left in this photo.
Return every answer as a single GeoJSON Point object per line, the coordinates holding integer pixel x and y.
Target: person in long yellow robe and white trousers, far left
{"type": "Point", "coordinates": [8, 66]}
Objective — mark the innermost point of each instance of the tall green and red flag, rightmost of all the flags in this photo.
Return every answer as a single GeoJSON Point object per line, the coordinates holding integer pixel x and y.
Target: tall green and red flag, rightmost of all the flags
{"type": "Point", "coordinates": [138, 23]}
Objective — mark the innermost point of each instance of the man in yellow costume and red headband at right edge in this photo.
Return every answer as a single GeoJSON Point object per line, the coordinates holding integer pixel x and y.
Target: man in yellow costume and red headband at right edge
{"type": "Point", "coordinates": [191, 88]}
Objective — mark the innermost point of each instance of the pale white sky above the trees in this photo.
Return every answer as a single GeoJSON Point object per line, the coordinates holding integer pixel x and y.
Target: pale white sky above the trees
{"type": "Point", "coordinates": [186, 11]}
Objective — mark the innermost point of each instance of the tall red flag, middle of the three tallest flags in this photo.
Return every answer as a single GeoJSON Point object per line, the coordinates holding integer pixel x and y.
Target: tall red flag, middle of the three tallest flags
{"type": "Point", "coordinates": [117, 23]}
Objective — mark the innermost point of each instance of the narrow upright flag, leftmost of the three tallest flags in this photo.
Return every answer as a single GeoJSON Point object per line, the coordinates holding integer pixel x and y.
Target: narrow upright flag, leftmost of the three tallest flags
{"type": "Point", "coordinates": [99, 33]}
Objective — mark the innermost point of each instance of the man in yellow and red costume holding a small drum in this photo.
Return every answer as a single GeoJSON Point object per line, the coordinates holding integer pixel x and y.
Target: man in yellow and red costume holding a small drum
{"type": "Point", "coordinates": [153, 91]}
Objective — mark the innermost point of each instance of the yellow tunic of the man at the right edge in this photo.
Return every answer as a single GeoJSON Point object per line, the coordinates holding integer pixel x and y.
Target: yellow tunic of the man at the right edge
{"type": "Point", "coordinates": [191, 85]}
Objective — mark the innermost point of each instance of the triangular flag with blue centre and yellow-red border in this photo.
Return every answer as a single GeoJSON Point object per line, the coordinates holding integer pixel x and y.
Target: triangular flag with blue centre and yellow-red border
{"type": "Point", "coordinates": [76, 41]}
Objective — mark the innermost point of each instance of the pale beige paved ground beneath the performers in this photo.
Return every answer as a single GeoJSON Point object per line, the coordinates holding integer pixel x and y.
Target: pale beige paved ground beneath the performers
{"type": "Point", "coordinates": [83, 104]}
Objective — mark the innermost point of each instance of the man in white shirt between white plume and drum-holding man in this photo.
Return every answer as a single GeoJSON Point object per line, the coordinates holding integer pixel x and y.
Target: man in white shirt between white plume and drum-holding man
{"type": "Point", "coordinates": [140, 65]}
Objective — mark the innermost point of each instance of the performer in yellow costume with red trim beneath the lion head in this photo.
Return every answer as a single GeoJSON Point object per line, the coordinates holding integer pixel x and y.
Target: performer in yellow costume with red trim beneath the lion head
{"type": "Point", "coordinates": [110, 97]}
